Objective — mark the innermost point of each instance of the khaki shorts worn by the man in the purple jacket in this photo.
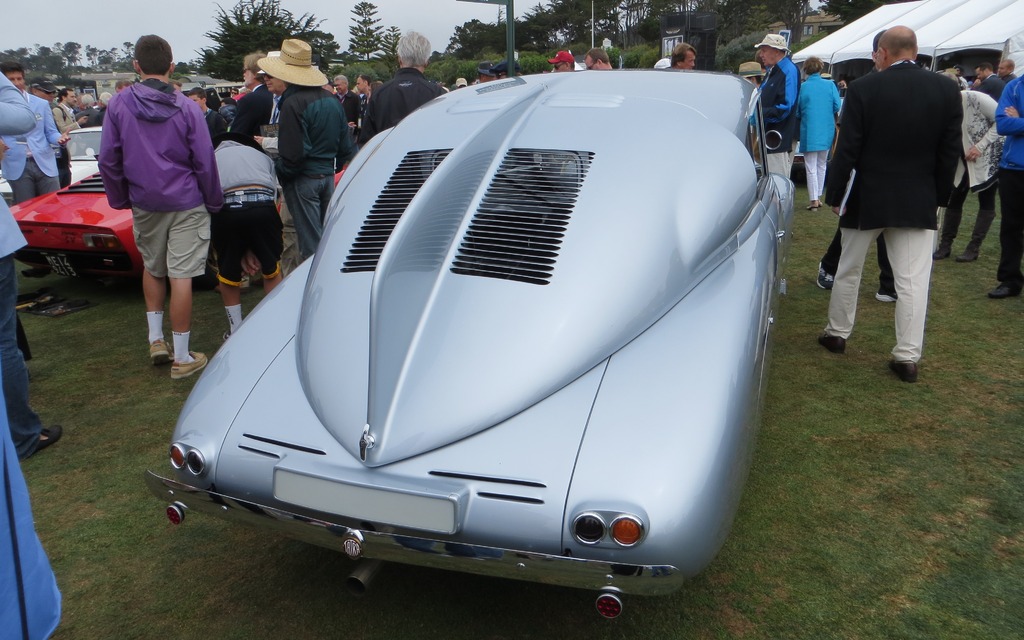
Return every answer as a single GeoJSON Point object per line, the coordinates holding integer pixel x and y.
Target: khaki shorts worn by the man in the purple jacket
{"type": "Point", "coordinates": [174, 244]}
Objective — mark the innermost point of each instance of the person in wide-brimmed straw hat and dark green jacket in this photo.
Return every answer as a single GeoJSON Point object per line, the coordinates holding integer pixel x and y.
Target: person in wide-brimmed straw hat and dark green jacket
{"type": "Point", "coordinates": [314, 142]}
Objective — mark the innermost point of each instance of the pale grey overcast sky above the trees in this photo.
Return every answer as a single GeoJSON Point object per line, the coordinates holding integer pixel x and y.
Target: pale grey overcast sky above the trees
{"type": "Point", "coordinates": [109, 23]}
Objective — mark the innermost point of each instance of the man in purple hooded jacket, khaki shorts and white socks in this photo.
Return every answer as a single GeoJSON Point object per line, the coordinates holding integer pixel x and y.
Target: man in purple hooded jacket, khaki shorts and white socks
{"type": "Point", "coordinates": [157, 159]}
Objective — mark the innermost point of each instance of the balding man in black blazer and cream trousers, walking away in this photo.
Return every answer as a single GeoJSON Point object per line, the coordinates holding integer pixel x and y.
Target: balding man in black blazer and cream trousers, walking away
{"type": "Point", "coordinates": [901, 134]}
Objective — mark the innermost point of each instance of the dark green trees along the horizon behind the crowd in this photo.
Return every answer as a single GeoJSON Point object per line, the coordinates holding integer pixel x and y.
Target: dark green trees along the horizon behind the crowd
{"type": "Point", "coordinates": [633, 26]}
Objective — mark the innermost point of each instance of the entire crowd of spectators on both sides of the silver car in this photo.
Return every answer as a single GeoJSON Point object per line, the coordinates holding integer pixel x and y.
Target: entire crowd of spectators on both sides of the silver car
{"type": "Point", "coordinates": [198, 169]}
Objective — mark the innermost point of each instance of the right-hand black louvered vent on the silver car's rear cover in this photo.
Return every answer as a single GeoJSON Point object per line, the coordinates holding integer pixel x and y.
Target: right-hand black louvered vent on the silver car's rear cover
{"type": "Point", "coordinates": [518, 232]}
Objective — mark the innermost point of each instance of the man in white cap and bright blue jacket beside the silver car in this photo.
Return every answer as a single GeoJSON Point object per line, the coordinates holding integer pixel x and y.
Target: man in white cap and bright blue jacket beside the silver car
{"type": "Point", "coordinates": [779, 100]}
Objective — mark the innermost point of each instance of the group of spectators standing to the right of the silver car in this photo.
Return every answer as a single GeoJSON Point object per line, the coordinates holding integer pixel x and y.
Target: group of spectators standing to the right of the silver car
{"type": "Point", "coordinates": [956, 137]}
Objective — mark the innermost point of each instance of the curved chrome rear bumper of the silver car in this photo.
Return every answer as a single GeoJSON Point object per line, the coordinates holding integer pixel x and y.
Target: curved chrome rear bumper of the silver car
{"type": "Point", "coordinates": [539, 568]}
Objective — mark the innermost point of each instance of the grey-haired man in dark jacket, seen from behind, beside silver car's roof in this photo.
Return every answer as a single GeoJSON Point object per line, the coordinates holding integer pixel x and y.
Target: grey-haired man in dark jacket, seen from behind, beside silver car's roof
{"type": "Point", "coordinates": [404, 95]}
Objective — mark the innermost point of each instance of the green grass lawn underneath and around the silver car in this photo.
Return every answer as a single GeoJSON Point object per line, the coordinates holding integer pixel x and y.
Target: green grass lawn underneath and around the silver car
{"type": "Point", "coordinates": [874, 509]}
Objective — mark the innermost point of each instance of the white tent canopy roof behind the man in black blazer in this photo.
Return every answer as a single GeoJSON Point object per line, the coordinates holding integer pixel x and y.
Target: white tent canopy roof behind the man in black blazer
{"type": "Point", "coordinates": [943, 27]}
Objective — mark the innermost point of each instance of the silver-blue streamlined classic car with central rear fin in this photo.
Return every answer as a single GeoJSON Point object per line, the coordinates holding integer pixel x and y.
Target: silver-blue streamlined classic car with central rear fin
{"type": "Point", "coordinates": [533, 344]}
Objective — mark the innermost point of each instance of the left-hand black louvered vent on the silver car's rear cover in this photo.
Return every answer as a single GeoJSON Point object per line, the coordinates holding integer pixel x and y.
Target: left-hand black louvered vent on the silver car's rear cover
{"type": "Point", "coordinates": [414, 170]}
